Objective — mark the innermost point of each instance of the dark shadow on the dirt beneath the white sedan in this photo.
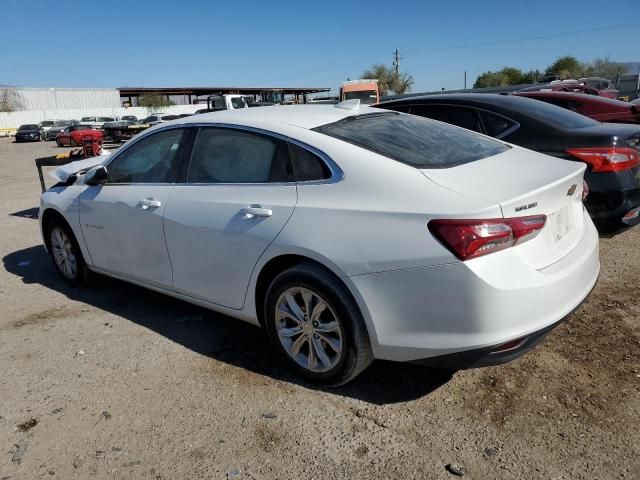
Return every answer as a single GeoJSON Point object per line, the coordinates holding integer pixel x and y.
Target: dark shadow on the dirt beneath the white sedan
{"type": "Point", "coordinates": [218, 336]}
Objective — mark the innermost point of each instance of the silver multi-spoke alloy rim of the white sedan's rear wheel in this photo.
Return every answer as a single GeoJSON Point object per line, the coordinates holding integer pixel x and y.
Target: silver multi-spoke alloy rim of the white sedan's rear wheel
{"type": "Point", "coordinates": [308, 329]}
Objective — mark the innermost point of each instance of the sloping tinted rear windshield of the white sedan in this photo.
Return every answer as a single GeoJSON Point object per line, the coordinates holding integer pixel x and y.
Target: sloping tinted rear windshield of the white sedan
{"type": "Point", "coordinates": [413, 140]}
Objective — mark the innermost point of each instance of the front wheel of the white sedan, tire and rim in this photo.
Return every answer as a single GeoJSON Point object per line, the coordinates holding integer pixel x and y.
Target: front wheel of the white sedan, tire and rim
{"type": "Point", "coordinates": [66, 254]}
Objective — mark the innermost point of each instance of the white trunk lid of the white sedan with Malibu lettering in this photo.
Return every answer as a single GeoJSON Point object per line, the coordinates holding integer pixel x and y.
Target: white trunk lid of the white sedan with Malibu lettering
{"type": "Point", "coordinates": [523, 183]}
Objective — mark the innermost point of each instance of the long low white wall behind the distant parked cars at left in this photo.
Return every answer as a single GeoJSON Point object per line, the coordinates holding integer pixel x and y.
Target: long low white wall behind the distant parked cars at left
{"type": "Point", "coordinates": [15, 119]}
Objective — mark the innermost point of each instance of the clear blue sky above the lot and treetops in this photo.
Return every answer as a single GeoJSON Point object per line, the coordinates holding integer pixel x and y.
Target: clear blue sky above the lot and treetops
{"type": "Point", "coordinates": [291, 43]}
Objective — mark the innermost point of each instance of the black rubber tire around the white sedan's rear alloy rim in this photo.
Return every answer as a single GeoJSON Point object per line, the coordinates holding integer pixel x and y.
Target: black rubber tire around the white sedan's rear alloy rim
{"type": "Point", "coordinates": [356, 353]}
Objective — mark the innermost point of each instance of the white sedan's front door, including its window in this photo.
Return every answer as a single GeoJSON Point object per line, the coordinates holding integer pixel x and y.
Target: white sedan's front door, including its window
{"type": "Point", "coordinates": [122, 220]}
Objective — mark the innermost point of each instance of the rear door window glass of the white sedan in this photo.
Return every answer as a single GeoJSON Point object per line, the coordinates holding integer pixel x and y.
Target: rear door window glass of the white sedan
{"type": "Point", "coordinates": [222, 155]}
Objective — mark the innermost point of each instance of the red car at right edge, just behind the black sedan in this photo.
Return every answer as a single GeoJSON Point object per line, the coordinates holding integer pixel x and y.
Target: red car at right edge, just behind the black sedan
{"type": "Point", "coordinates": [599, 108]}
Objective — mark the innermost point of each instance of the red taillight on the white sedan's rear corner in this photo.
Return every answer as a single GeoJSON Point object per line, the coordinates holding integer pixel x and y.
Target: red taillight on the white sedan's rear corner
{"type": "Point", "coordinates": [468, 239]}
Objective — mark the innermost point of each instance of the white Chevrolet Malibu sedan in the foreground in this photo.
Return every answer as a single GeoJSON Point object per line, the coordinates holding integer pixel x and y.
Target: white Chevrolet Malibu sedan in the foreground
{"type": "Point", "coordinates": [348, 233]}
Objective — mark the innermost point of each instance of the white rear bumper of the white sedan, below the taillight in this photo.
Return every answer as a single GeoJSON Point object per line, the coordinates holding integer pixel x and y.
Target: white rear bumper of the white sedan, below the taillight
{"type": "Point", "coordinates": [472, 307]}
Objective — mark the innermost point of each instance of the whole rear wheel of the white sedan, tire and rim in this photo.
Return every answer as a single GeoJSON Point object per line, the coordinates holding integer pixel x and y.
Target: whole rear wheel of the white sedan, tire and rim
{"type": "Point", "coordinates": [316, 326]}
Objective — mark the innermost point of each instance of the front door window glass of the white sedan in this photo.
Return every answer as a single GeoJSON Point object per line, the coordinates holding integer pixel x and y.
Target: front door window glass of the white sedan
{"type": "Point", "coordinates": [154, 159]}
